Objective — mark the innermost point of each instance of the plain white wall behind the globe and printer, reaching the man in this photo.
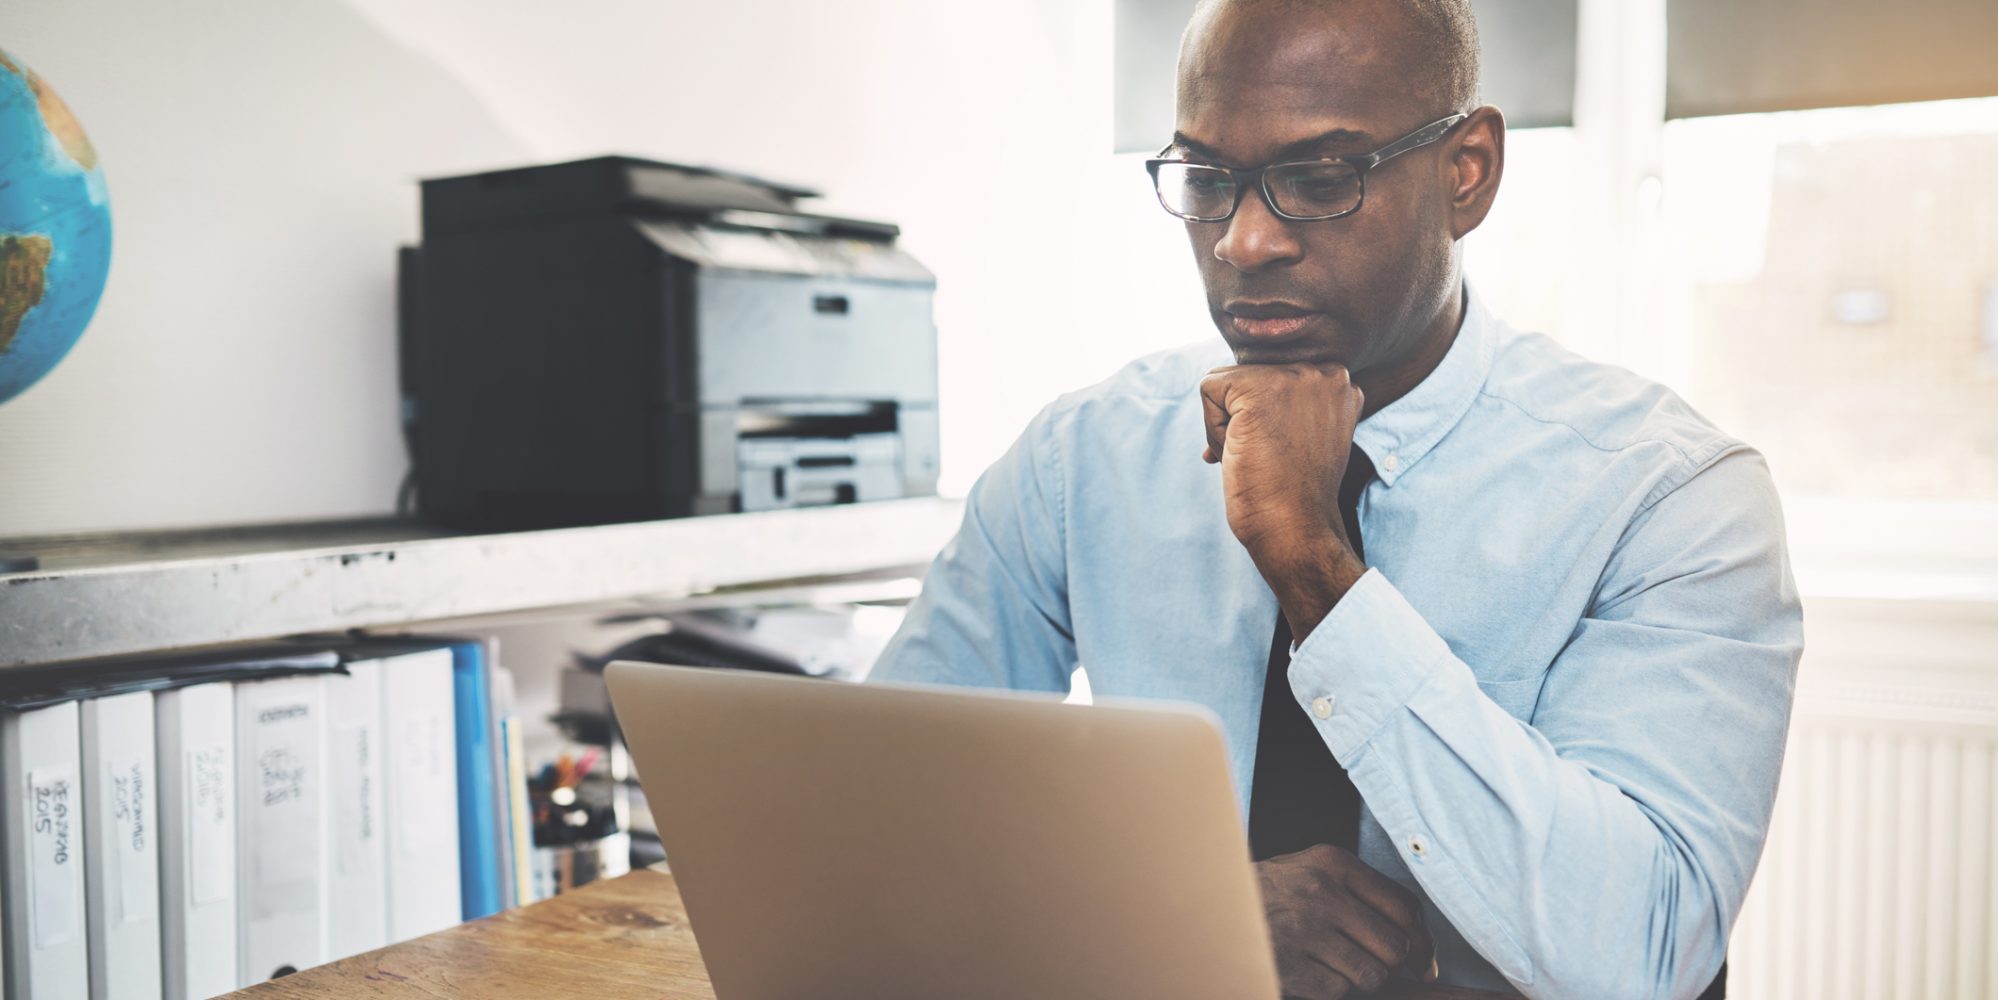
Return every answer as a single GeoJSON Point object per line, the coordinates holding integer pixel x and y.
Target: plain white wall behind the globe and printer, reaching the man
{"type": "Point", "coordinates": [263, 163]}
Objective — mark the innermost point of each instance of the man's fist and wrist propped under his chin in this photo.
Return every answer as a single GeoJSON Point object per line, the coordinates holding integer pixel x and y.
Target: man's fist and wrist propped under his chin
{"type": "Point", "coordinates": [1282, 436]}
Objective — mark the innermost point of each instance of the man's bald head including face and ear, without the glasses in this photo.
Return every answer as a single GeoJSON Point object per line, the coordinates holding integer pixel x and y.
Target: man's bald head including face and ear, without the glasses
{"type": "Point", "coordinates": [1310, 81]}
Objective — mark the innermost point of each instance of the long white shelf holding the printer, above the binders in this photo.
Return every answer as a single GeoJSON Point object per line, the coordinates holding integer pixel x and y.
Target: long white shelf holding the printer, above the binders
{"type": "Point", "coordinates": [107, 596]}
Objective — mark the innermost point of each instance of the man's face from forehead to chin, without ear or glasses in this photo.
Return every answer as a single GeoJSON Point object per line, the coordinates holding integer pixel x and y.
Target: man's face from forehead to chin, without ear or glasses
{"type": "Point", "coordinates": [1262, 85]}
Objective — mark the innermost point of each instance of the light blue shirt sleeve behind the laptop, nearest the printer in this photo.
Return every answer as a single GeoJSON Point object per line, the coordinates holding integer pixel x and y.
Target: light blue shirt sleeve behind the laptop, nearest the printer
{"type": "Point", "coordinates": [994, 608]}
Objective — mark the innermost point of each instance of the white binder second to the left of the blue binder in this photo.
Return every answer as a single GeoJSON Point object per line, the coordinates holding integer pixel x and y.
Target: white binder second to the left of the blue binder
{"type": "Point", "coordinates": [359, 861]}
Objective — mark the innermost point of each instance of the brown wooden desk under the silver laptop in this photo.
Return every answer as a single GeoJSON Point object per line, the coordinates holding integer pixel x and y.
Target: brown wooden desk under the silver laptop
{"type": "Point", "coordinates": [624, 937]}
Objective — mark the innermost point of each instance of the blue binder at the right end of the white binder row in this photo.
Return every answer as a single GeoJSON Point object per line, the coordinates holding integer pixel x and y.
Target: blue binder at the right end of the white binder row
{"type": "Point", "coordinates": [479, 785]}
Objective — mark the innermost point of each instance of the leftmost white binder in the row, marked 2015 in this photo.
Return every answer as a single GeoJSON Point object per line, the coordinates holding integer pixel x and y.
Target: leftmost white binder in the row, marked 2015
{"type": "Point", "coordinates": [43, 841]}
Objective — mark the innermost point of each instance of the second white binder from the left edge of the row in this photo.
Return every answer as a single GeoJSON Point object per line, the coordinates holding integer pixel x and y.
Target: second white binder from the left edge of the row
{"type": "Point", "coordinates": [121, 847]}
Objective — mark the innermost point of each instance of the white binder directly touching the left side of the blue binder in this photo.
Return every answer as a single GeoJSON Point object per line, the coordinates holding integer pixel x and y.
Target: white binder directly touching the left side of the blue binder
{"type": "Point", "coordinates": [423, 793]}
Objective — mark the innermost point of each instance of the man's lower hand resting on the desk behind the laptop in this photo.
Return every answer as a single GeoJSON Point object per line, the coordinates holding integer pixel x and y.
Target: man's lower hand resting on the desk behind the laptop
{"type": "Point", "coordinates": [1342, 927]}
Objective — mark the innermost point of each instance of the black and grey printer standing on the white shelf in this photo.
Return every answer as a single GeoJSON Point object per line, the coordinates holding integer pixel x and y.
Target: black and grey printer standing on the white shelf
{"type": "Point", "coordinates": [624, 340]}
